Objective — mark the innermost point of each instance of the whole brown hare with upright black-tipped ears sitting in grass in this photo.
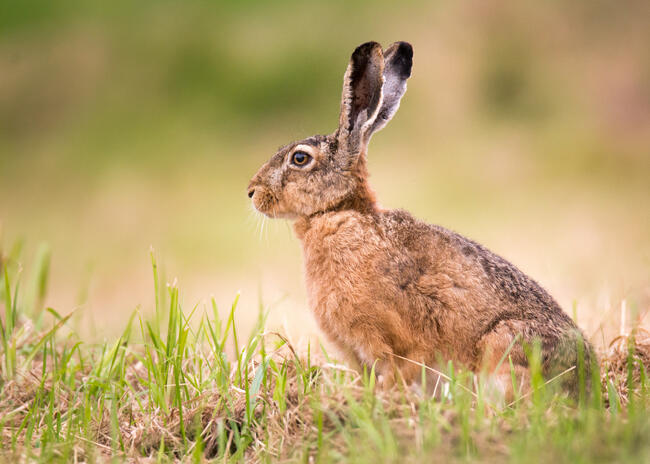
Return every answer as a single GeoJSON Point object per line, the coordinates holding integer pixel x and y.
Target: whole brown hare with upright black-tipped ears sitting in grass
{"type": "Point", "coordinates": [388, 289]}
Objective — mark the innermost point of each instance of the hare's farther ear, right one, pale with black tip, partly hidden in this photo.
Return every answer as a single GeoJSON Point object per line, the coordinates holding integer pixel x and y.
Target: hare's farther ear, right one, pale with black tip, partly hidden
{"type": "Point", "coordinates": [398, 60]}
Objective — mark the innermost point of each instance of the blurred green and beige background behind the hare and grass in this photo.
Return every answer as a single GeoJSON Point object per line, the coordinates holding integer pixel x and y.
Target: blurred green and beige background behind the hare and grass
{"type": "Point", "coordinates": [126, 125]}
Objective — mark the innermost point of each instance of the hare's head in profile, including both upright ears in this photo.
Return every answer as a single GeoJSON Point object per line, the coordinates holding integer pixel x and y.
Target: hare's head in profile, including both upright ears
{"type": "Point", "coordinates": [328, 172]}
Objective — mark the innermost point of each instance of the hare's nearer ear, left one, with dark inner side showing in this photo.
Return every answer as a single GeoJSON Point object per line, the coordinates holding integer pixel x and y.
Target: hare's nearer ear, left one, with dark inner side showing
{"type": "Point", "coordinates": [361, 97]}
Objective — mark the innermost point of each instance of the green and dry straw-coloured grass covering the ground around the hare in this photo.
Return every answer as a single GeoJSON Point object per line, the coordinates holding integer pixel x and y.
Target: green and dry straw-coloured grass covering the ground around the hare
{"type": "Point", "coordinates": [185, 385]}
